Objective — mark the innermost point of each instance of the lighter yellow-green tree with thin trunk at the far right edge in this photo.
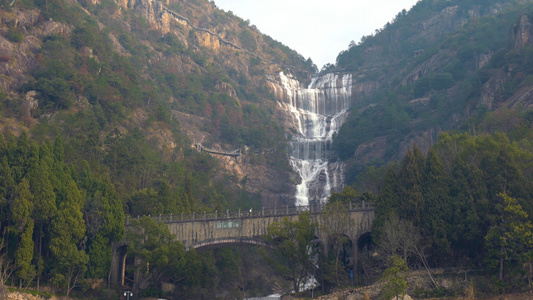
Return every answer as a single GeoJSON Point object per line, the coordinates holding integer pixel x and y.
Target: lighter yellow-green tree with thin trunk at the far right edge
{"type": "Point", "coordinates": [512, 235]}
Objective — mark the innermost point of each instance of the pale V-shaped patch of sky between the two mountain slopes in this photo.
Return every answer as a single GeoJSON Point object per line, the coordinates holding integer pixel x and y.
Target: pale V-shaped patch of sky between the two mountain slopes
{"type": "Point", "coordinates": [319, 29]}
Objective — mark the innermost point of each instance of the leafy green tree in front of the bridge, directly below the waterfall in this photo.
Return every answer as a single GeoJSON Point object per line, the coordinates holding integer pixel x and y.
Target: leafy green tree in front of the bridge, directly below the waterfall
{"type": "Point", "coordinates": [292, 243]}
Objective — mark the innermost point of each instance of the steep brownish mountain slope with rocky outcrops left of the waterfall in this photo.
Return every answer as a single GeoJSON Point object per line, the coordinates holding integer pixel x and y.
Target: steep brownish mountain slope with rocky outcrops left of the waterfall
{"type": "Point", "coordinates": [132, 85]}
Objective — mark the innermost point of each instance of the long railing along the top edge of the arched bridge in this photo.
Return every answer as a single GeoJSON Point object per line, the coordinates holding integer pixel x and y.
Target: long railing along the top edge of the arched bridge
{"type": "Point", "coordinates": [251, 213]}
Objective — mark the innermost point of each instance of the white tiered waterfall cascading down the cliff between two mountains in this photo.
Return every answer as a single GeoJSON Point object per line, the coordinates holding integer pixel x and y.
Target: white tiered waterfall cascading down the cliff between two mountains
{"type": "Point", "coordinates": [317, 113]}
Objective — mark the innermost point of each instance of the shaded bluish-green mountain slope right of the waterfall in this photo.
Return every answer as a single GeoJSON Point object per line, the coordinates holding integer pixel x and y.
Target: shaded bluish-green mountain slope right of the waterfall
{"type": "Point", "coordinates": [441, 66]}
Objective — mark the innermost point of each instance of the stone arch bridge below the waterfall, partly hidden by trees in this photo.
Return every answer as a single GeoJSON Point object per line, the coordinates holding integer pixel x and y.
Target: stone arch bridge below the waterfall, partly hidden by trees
{"type": "Point", "coordinates": [203, 231]}
